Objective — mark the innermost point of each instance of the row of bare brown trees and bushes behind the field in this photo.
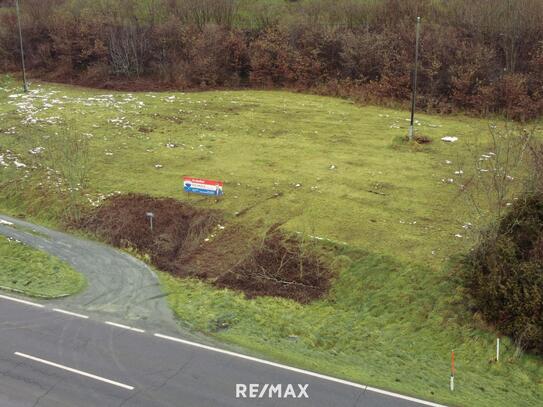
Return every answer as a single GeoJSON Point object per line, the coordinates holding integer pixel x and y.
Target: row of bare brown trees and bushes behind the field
{"type": "Point", "coordinates": [483, 57]}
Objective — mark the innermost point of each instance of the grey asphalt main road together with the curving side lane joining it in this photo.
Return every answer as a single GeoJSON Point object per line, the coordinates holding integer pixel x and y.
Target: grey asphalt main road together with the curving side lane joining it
{"type": "Point", "coordinates": [73, 352]}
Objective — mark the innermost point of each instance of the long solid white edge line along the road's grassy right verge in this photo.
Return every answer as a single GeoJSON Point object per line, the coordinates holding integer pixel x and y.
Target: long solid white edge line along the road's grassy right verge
{"type": "Point", "coordinates": [302, 371]}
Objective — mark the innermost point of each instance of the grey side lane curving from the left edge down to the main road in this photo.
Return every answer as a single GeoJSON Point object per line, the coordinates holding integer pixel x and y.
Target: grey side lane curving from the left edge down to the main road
{"type": "Point", "coordinates": [117, 283]}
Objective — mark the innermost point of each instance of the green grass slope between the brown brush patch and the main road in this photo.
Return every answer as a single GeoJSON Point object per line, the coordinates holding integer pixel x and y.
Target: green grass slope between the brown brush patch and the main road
{"type": "Point", "coordinates": [380, 326]}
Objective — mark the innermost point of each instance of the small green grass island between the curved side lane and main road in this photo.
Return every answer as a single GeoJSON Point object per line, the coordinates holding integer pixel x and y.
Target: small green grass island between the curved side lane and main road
{"type": "Point", "coordinates": [32, 272]}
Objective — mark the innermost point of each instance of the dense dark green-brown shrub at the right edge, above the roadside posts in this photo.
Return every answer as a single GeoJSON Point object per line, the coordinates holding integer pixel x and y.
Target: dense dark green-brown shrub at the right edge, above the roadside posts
{"type": "Point", "coordinates": [504, 274]}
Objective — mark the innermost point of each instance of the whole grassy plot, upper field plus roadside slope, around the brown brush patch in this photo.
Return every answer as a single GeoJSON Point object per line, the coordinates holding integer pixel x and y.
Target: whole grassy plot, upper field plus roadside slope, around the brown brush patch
{"type": "Point", "coordinates": [394, 313]}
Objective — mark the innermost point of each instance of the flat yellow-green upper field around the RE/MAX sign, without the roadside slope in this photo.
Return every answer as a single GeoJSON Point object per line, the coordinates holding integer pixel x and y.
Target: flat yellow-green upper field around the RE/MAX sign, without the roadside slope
{"type": "Point", "coordinates": [340, 171]}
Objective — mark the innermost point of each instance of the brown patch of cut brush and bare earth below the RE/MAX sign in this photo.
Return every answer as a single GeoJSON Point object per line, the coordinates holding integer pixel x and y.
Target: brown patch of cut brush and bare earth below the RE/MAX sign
{"type": "Point", "coordinates": [188, 241]}
